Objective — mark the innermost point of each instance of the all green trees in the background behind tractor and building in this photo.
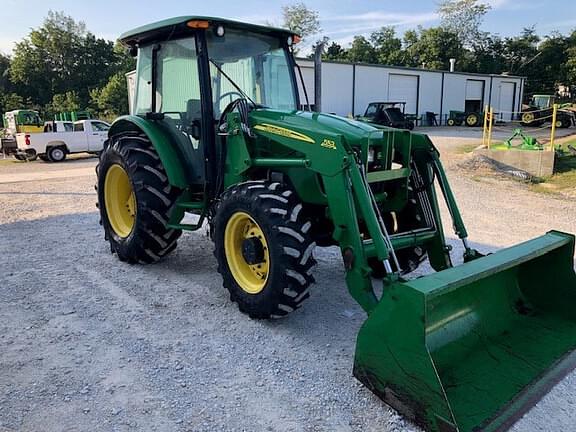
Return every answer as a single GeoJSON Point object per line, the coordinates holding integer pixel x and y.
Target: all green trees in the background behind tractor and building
{"type": "Point", "coordinates": [62, 66]}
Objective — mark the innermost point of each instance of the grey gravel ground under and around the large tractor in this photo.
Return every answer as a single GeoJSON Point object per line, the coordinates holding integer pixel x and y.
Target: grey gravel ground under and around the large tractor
{"type": "Point", "coordinates": [89, 343]}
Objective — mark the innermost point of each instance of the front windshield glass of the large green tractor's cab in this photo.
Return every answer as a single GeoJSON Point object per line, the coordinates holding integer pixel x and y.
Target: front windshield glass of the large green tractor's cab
{"type": "Point", "coordinates": [257, 64]}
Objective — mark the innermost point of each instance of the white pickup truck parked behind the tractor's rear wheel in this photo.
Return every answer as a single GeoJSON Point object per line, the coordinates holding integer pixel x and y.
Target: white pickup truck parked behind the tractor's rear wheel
{"type": "Point", "coordinates": [53, 146]}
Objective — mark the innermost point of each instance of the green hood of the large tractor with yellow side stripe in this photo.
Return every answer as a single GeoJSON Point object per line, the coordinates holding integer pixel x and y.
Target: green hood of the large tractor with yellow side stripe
{"type": "Point", "coordinates": [305, 125]}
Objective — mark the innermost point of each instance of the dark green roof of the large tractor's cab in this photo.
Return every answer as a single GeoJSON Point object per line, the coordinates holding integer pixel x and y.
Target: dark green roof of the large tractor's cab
{"type": "Point", "coordinates": [178, 25]}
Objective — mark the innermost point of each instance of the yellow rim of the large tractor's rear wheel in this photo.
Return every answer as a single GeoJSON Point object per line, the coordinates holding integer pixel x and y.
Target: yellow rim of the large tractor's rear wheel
{"type": "Point", "coordinates": [120, 200]}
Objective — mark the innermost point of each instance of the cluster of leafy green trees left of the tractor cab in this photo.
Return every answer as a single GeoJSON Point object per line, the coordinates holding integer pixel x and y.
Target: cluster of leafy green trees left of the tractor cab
{"type": "Point", "coordinates": [61, 66]}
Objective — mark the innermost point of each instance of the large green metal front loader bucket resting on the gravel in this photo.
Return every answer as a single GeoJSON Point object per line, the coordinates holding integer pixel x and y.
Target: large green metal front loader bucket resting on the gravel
{"type": "Point", "coordinates": [472, 348]}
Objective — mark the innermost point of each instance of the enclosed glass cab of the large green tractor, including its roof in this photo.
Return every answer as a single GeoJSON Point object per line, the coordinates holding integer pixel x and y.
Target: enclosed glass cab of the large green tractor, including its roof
{"type": "Point", "coordinates": [228, 66]}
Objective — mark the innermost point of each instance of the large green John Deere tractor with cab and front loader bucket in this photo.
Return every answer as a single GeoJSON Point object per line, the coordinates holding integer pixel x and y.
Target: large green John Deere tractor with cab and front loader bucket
{"type": "Point", "coordinates": [216, 132]}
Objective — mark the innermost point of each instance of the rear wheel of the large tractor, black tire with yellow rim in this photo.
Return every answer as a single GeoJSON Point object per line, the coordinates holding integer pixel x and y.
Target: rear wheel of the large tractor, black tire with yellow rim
{"type": "Point", "coordinates": [135, 200]}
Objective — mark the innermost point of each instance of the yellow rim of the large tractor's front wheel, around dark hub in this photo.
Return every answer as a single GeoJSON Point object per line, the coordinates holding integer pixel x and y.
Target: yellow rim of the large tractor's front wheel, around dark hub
{"type": "Point", "coordinates": [251, 278]}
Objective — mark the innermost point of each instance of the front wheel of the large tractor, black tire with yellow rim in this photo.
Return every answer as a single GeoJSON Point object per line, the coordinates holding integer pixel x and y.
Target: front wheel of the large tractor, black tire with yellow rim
{"type": "Point", "coordinates": [264, 248]}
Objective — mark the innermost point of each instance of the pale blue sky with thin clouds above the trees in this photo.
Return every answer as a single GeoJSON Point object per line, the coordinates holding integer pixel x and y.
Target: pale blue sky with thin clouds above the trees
{"type": "Point", "coordinates": [340, 20]}
